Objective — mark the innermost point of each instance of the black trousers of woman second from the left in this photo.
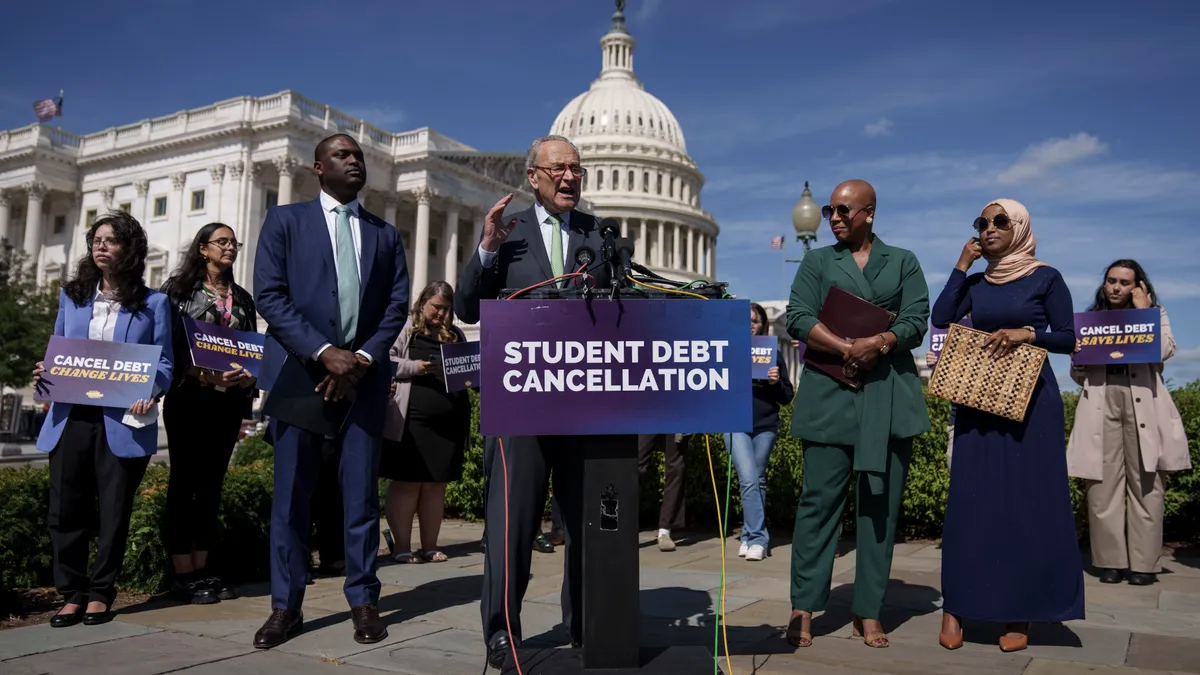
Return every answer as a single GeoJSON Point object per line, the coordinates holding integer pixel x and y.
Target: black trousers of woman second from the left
{"type": "Point", "coordinates": [202, 432]}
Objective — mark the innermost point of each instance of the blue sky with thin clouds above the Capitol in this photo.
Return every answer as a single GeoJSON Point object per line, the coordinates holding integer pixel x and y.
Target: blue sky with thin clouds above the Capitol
{"type": "Point", "coordinates": [1084, 111]}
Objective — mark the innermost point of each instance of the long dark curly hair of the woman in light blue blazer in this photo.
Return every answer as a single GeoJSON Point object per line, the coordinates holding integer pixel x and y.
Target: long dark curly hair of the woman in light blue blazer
{"type": "Point", "coordinates": [129, 290]}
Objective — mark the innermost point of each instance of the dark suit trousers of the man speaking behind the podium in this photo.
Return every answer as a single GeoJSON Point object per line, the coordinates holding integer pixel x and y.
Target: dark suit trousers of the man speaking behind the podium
{"type": "Point", "coordinates": [532, 462]}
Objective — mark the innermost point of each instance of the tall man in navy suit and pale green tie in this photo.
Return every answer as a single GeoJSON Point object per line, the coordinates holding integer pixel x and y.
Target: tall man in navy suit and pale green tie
{"type": "Point", "coordinates": [332, 283]}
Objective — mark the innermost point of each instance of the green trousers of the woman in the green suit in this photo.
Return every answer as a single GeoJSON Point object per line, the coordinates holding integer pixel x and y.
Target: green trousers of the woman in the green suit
{"type": "Point", "coordinates": [827, 471]}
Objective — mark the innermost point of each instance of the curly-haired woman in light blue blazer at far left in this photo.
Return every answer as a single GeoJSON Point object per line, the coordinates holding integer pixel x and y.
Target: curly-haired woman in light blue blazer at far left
{"type": "Point", "coordinates": [100, 455]}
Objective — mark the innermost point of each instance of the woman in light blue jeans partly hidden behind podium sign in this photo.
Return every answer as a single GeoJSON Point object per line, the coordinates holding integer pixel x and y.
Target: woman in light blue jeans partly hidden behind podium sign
{"type": "Point", "coordinates": [752, 452]}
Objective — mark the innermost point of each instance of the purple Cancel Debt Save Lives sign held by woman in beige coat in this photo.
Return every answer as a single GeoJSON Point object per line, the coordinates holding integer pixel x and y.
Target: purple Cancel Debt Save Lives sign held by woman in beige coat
{"type": "Point", "coordinates": [1119, 337]}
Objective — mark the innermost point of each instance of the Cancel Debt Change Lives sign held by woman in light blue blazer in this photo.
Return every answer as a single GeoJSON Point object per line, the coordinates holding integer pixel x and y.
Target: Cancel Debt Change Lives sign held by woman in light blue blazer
{"type": "Point", "coordinates": [98, 374]}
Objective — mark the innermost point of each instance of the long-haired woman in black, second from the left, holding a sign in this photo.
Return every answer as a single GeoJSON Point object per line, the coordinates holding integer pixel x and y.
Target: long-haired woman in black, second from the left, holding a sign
{"type": "Point", "coordinates": [205, 410]}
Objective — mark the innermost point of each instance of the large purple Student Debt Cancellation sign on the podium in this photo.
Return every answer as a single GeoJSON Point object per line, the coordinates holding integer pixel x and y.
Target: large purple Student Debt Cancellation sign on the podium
{"type": "Point", "coordinates": [577, 368]}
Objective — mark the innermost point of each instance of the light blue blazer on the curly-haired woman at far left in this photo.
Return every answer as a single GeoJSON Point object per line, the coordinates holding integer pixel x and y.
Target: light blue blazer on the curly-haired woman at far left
{"type": "Point", "coordinates": [151, 326]}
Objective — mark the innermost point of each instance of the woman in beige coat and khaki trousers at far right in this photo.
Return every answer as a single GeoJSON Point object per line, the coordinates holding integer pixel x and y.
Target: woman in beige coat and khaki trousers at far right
{"type": "Point", "coordinates": [1127, 434]}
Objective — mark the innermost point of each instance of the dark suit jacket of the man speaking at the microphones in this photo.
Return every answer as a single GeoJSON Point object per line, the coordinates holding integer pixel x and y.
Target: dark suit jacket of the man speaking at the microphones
{"type": "Point", "coordinates": [523, 261]}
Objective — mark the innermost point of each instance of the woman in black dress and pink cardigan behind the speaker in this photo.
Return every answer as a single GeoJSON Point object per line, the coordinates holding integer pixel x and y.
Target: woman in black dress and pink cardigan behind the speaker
{"type": "Point", "coordinates": [427, 427]}
